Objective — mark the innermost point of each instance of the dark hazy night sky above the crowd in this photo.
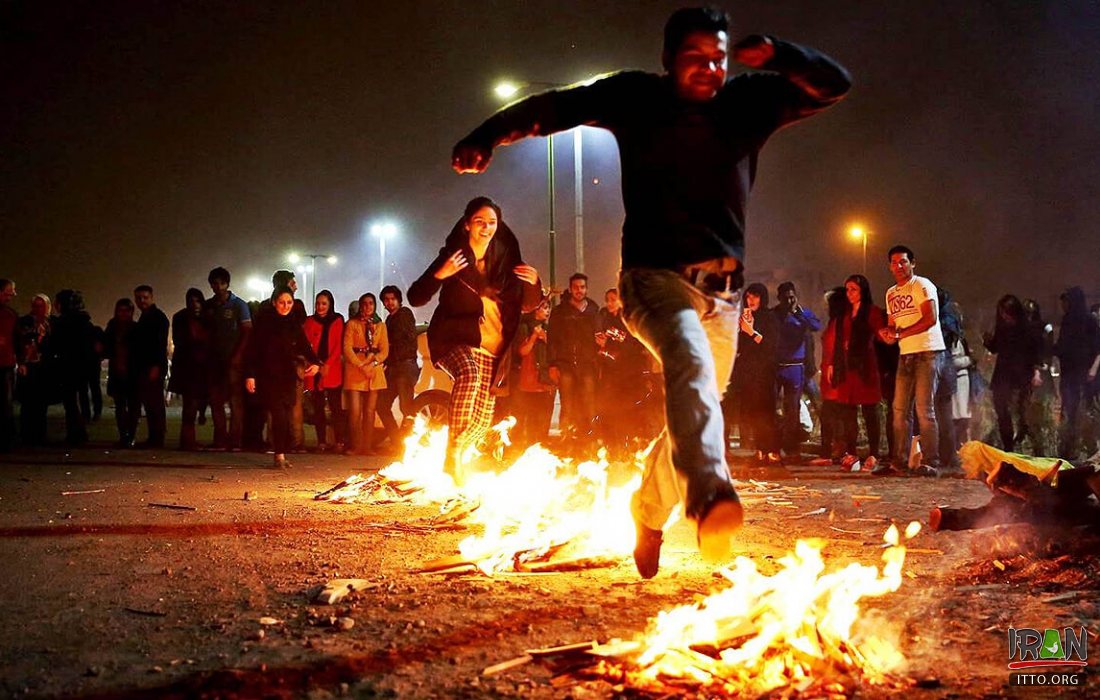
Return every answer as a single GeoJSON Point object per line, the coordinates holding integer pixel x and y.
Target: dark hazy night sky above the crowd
{"type": "Point", "coordinates": [150, 141]}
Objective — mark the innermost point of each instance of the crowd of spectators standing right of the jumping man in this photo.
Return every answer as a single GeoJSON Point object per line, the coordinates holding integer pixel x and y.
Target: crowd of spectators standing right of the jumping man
{"type": "Point", "coordinates": [912, 364]}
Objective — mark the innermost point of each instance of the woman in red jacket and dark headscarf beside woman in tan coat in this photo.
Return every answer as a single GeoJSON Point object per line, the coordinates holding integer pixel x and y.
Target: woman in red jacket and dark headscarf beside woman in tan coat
{"type": "Point", "coordinates": [325, 333]}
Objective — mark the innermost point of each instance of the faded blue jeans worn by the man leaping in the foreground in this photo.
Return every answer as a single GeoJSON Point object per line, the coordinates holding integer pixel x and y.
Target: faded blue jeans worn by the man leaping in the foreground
{"type": "Point", "coordinates": [695, 336]}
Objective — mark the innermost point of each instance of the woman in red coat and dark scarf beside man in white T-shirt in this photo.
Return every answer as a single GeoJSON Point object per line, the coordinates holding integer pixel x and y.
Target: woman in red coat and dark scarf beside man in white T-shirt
{"type": "Point", "coordinates": [851, 369]}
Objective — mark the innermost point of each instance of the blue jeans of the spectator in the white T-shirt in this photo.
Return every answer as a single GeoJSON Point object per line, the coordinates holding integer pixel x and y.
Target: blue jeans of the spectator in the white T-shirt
{"type": "Point", "coordinates": [916, 381]}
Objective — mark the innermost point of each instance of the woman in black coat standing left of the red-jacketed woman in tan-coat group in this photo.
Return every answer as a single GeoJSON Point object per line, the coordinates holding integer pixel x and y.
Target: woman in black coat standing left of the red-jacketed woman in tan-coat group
{"type": "Point", "coordinates": [272, 368]}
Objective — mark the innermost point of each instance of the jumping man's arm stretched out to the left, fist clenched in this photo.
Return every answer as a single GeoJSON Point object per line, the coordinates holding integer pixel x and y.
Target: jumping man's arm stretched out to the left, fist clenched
{"type": "Point", "coordinates": [591, 104]}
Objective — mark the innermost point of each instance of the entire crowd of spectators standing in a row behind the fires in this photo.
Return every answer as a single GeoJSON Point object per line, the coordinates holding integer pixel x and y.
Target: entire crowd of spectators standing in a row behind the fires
{"type": "Point", "coordinates": [263, 371]}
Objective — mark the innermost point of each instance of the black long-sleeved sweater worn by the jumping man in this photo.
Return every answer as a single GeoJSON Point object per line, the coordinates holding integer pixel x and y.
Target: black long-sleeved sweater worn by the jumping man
{"type": "Point", "coordinates": [687, 167]}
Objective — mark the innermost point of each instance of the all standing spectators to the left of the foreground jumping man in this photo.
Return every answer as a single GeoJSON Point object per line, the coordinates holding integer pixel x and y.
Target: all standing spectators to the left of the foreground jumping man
{"type": "Point", "coordinates": [265, 371]}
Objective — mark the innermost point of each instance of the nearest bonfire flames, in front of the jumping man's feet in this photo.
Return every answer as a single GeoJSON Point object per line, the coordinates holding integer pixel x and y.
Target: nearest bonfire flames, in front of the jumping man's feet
{"type": "Point", "coordinates": [767, 632]}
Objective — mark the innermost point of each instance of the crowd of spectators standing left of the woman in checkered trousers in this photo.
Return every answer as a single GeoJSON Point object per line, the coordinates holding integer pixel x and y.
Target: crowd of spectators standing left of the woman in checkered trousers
{"type": "Point", "coordinates": [262, 370]}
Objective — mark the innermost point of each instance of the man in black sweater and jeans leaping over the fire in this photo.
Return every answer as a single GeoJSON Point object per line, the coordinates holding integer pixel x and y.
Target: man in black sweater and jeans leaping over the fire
{"type": "Point", "coordinates": [688, 145]}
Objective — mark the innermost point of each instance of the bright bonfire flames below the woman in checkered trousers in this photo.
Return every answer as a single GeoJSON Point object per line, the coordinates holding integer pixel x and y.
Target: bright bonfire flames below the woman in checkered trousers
{"type": "Point", "coordinates": [537, 505]}
